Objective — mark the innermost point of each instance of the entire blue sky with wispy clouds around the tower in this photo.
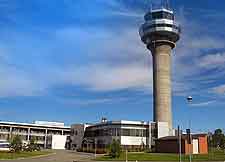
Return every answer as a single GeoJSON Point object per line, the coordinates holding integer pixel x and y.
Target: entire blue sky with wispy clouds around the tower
{"type": "Point", "coordinates": [77, 61]}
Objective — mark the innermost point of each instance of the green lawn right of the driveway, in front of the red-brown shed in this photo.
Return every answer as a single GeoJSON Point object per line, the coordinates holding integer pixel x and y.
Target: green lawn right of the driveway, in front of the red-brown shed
{"type": "Point", "coordinates": [213, 156]}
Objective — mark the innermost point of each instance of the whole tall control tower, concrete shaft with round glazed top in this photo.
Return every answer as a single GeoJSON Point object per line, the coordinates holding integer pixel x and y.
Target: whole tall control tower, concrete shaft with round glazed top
{"type": "Point", "coordinates": [160, 32]}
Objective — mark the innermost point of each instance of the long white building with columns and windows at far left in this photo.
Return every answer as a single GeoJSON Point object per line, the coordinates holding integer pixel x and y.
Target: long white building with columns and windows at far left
{"type": "Point", "coordinates": [43, 132]}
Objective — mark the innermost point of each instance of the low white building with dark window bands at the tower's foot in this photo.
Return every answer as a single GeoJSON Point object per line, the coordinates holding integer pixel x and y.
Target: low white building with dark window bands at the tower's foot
{"type": "Point", "coordinates": [130, 134]}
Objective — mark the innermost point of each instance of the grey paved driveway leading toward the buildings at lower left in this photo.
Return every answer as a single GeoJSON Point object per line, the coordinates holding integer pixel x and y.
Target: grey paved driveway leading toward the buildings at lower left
{"type": "Point", "coordinates": [59, 156]}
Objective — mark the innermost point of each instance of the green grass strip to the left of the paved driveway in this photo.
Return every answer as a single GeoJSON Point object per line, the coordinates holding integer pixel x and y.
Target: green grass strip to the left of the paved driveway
{"type": "Point", "coordinates": [7, 155]}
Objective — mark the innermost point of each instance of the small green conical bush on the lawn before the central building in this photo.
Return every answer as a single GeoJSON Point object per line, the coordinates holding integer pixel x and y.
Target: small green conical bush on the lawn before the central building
{"type": "Point", "coordinates": [115, 149]}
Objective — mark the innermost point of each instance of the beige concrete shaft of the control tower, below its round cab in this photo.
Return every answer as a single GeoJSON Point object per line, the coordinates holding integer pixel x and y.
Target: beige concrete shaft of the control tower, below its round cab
{"type": "Point", "coordinates": [162, 83]}
